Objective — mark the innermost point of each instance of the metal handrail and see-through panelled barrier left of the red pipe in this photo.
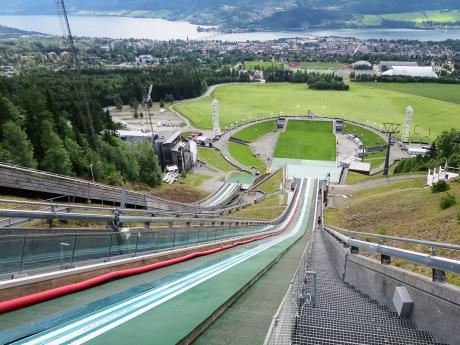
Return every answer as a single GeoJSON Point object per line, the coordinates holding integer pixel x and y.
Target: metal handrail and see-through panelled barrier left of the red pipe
{"type": "Point", "coordinates": [71, 251]}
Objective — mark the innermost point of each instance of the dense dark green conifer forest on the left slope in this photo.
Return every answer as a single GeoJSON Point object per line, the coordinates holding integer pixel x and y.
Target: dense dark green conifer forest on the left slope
{"type": "Point", "coordinates": [43, 123]}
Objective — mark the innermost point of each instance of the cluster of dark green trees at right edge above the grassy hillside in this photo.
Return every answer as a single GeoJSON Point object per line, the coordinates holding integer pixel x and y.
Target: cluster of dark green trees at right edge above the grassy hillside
{"type": "Point", "coordinates": [445, 148]}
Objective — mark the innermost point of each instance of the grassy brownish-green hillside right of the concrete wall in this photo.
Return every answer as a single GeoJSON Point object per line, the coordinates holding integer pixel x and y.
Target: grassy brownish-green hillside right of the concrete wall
{"type": "Point", "coordinates": [403, 209]}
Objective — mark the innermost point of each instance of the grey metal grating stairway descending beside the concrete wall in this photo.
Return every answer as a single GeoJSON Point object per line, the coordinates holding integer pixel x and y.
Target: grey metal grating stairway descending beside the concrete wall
{"type": "Point", "coordinates": [344, 315]}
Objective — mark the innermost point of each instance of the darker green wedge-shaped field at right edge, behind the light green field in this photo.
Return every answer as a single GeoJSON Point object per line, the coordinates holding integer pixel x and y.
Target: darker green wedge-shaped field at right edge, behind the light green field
{"type": "Point", "coordinates": [443, 92]}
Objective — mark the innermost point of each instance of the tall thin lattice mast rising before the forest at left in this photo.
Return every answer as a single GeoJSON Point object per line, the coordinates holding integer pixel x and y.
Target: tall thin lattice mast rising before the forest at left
{"type": "Point", "coordinates": [77, 81]}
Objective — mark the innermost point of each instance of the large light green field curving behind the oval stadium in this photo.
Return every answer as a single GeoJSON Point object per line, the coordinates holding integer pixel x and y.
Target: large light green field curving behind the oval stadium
{"type": "Point", "coordinates": [364, 103]}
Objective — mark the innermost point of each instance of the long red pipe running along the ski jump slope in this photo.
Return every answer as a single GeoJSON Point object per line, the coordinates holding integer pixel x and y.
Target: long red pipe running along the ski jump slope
{"type": "Point", "coordinates": [46, 295]}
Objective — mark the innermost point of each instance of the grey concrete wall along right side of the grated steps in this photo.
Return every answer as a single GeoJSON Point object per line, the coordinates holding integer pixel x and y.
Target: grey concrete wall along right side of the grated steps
{"type": "Point", "coordinates": [436, 306]}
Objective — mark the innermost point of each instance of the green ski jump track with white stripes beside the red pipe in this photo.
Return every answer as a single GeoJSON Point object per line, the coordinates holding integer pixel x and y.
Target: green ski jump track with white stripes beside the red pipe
{"type": "Point", "coordinates": [162, 306]}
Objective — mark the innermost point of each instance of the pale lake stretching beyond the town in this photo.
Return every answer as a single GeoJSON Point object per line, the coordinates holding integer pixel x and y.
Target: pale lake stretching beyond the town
{"type": "Point", "coordinates": [160, 29]}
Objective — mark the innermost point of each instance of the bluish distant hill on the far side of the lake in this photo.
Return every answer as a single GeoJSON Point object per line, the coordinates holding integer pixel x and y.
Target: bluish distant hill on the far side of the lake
{"type": "Point", "coordinates": [262, 14]}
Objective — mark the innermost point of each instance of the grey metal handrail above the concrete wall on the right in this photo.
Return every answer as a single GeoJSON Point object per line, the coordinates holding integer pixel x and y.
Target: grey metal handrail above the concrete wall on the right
{"type": "Point", "coordinates": [429, 260]}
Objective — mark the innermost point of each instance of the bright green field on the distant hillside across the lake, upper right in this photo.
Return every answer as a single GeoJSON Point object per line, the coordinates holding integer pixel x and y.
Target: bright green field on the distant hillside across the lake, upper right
{"type": "Point", "coordinates": [414, 17]}
